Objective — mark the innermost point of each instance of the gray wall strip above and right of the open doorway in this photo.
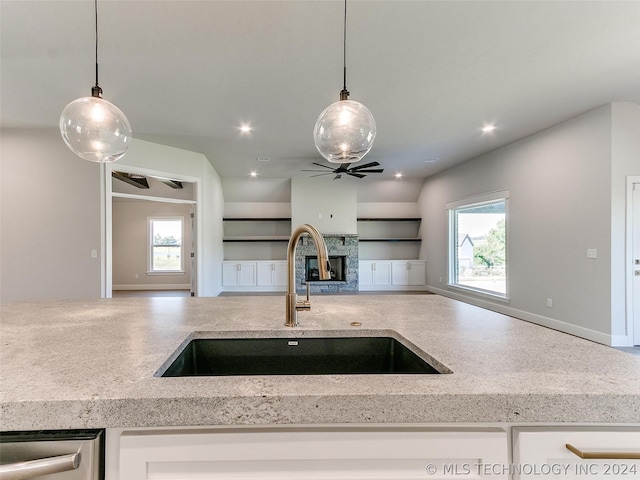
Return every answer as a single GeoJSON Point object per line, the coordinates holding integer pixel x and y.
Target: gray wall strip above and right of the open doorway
{"type": "Point", "coordinates": [161, 159]}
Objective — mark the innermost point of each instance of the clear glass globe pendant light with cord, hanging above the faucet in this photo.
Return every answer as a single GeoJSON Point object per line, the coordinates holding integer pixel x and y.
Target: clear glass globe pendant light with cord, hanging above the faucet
{"type": "Point", "coordinates": [345, 130]}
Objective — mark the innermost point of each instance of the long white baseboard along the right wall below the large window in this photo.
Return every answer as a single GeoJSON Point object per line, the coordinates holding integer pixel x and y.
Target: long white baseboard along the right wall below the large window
{"type": "Point", "coordinates": [578, 331]}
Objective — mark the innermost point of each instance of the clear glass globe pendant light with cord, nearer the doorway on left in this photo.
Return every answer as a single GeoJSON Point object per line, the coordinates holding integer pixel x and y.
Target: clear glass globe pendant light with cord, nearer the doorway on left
{"type": "Point", "coordinates": [93, 128]}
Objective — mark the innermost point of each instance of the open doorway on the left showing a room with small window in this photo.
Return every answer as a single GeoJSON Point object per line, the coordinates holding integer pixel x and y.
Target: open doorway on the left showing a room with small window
{"type": "Point", "coordinates": [136, 199]}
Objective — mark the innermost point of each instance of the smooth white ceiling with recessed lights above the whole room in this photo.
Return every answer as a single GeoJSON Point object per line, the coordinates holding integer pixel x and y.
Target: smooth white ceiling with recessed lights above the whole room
{"type": "Point", "coordinates": [188, 73]}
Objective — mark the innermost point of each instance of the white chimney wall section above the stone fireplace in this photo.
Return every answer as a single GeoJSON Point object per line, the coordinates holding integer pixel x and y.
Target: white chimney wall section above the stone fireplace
{"type": "Point", "coordinates": [331, 206]}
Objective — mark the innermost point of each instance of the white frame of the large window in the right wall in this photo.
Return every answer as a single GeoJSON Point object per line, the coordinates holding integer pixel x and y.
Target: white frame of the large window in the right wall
{"type": "Point", "coordinates": [452, 247]}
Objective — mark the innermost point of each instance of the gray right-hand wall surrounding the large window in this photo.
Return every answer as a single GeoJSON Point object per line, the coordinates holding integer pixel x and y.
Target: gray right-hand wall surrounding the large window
{"type": "Point", "coordinates": [567, 189]}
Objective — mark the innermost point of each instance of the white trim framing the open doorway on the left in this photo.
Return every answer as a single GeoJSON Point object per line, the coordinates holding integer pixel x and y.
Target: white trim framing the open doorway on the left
{"type": "Point", "coordinates": [106, 280]}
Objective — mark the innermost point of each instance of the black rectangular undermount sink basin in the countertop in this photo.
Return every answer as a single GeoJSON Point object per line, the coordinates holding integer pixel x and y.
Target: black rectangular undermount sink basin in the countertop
{"type": "Point", "coordinates": [299, 356]}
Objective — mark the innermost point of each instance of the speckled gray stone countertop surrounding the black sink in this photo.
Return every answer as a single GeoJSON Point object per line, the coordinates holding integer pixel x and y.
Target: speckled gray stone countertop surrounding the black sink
{"type": "Point", "coordinates": [86, 364]}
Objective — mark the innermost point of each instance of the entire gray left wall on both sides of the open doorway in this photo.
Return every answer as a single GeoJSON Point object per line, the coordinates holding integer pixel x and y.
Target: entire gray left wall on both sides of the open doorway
{"type": "Point", "coordinates": [51, 222]}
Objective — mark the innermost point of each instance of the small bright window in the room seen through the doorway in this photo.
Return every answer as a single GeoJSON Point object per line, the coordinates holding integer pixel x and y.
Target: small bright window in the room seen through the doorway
{"type": "Point", "coordinates": [165, 245]}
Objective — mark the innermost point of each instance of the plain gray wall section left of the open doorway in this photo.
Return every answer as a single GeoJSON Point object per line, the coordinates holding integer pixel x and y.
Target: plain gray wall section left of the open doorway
{"type": "Point", "coordinates": [50, 218]}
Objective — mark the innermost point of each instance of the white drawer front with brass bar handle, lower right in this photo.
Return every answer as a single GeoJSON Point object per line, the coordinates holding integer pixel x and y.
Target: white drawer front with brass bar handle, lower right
{"type": "Point", "coordinates": [545, 452]}
